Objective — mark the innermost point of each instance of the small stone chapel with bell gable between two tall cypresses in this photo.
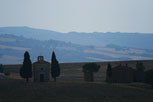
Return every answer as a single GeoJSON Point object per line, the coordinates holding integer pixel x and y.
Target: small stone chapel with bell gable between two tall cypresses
{"type": "Point", "coordinates": [41, 70]}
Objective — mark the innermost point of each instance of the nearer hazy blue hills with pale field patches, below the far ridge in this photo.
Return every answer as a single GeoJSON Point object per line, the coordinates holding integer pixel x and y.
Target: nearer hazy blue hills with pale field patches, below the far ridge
{"type": "Point", "coordinates": [12, 48]}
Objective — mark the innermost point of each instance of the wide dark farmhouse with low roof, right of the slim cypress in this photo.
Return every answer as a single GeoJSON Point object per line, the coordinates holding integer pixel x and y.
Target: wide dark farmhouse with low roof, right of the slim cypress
{"type": "Point", "coordinates": [122, 74]}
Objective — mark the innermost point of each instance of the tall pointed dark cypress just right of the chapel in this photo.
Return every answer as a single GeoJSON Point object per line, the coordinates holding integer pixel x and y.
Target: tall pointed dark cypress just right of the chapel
{"type": "Point", "coordinates": [55, 68]}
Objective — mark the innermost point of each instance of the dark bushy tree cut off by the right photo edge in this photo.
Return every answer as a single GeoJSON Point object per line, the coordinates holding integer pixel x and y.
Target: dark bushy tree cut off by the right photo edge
{"type": "Point", "coordinates": [149, 77]}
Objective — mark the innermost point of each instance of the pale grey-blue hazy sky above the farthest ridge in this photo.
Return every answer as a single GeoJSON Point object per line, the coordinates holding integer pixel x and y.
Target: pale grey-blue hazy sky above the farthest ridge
{"type": "Point", "coordinates": [79, 15]}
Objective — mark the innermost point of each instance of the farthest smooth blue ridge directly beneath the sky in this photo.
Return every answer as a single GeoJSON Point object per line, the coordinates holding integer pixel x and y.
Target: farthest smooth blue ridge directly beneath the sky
{"type": "Point", "coordinates": [135, 40]}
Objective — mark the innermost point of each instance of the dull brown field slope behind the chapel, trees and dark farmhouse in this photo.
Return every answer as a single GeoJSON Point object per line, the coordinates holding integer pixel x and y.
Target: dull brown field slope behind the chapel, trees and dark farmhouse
{"type": "Point", "coordinates": [73, 71]}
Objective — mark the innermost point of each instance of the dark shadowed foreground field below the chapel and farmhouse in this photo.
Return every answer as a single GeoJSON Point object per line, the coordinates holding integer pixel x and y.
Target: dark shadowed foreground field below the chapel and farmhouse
{"type": "Point", "coordinates": [12, 90]}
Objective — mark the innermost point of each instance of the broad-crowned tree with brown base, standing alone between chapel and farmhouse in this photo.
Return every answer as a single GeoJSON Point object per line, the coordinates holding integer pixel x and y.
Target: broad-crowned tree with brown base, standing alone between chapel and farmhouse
{"type": "Point", "coordinates": [89, 69]}
